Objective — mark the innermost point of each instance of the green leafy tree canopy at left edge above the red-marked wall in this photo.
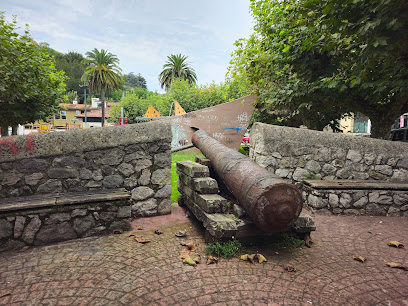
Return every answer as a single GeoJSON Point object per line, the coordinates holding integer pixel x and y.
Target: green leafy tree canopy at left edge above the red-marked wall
{"type": "Point", "coordinates": [30, 86]}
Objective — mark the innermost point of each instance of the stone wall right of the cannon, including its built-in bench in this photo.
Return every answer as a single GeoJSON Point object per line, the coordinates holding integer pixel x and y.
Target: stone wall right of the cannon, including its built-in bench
{"type": "Point", "coordinates": [300, 154]}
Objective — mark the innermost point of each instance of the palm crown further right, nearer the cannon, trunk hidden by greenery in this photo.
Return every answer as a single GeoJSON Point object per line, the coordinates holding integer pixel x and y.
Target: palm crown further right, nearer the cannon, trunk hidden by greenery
{"type": "Point", "coordinates": [176, 66]}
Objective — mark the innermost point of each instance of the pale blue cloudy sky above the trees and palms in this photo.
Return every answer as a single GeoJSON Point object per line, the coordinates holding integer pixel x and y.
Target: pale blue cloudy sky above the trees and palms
{"type": "Point", "coordinates": [141, 33]}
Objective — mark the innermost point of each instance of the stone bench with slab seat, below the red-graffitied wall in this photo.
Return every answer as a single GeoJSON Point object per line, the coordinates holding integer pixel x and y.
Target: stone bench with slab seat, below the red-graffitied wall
{"type": "Point", "coordinates": [49, 218]}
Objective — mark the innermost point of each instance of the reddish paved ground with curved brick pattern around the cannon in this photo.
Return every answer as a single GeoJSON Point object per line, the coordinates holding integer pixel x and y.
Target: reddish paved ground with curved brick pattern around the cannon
{"type": "Point", "coordinates": [116, 270]}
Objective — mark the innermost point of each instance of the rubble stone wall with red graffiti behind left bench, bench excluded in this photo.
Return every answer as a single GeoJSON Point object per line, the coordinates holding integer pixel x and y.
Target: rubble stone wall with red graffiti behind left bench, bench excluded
{"type": "Point", "coordinates": [135, 157]}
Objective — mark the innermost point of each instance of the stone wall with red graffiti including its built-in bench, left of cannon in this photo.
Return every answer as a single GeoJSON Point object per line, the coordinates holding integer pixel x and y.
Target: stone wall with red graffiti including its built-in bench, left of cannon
{"type": "Point", "coordinates": [135, 159]}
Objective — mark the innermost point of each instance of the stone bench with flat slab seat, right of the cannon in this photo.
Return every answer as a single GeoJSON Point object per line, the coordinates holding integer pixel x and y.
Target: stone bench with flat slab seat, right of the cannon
{"type": "Point", "coordinates": [357, 197]}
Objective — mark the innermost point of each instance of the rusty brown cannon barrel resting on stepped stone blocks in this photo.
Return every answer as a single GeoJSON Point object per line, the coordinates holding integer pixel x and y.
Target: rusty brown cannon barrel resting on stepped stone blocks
{"type": "Point", "coordinates": [272, 203]}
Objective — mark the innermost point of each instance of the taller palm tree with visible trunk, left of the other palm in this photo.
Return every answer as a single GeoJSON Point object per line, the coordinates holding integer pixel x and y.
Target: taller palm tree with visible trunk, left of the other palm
{"type": "Point", "coordinates": [104, 72]}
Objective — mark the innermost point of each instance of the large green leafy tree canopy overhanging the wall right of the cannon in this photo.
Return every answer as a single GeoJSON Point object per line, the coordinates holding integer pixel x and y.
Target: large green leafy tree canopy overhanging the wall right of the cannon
{"type": "Point", "coordinates": [313, 60]}
